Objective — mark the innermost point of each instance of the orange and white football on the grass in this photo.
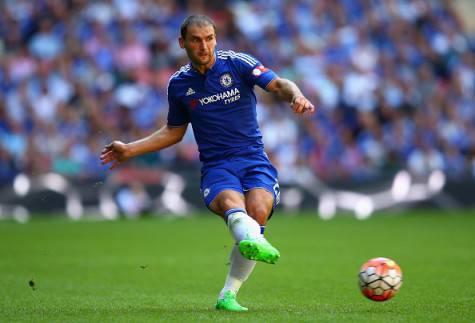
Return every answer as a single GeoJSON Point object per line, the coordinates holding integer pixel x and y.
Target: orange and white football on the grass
{"type": "Point", "coordinates": [380, 279]}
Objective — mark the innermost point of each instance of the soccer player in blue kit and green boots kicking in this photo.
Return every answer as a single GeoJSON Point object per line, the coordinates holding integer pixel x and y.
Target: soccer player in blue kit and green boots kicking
{"type": "Point", "coordinates": [214, 92]}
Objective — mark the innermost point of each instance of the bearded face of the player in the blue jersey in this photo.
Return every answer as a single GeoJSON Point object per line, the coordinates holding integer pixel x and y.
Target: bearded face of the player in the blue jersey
{"type": "Point", "coordinates": [199, 44]}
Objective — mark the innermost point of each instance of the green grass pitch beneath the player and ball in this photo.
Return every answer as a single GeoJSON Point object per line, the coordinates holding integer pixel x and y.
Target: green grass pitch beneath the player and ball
{"type": "Point", "coordinates": [159, 269]}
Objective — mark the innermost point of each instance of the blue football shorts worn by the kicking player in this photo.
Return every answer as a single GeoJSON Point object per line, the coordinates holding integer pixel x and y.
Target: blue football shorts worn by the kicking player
{"type": "Point", "coordinates": [240, 174]}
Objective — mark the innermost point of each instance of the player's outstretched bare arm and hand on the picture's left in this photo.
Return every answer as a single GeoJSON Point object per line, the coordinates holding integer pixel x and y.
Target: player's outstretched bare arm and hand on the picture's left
{"type": "Point", "coordinates": [118, 152]}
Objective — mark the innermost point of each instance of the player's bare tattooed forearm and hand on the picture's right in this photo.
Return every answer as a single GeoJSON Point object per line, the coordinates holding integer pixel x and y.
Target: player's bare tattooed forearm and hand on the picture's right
{"type": "Point", "coordinates": [290, 92]}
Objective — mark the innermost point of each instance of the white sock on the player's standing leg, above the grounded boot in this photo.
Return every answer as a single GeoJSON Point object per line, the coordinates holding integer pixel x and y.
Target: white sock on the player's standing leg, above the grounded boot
{"type": "Point", "coordinates": [239, 270]}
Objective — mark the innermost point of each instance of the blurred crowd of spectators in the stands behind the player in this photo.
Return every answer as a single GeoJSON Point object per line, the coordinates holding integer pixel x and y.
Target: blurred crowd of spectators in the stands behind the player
{"type": "Point", "coordinates": [394, 82]}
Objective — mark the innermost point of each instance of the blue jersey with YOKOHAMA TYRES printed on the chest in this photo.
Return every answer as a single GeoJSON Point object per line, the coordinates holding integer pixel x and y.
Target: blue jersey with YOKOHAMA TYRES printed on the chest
{"type": "Point", "coordinates": [220, 104]}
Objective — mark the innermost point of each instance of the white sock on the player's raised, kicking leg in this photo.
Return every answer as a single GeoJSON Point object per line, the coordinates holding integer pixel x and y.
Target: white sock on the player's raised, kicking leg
{"type": "Point", "coordinates": [242, 226]}
